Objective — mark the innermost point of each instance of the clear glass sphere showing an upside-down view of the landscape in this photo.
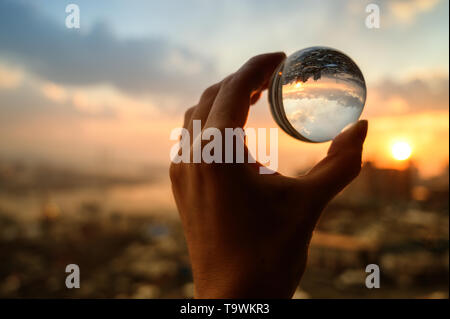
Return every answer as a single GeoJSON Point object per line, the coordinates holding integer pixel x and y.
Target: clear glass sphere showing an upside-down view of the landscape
{"type": "Point", "coordinates": [315, 93]}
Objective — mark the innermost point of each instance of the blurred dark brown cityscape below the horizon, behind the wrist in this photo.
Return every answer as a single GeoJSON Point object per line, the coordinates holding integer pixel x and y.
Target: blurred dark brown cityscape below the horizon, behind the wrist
{"type": "Point", "coordinates": [128, 248]}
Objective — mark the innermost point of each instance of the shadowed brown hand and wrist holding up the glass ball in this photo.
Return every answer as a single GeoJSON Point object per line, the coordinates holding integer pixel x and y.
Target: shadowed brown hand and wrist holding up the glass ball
{"type": "Point", "coordinates": [247, 233]}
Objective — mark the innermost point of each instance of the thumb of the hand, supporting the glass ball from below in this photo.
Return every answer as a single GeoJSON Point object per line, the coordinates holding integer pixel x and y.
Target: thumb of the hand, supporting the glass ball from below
{"type": "Point", "coordinates": [342, 163]}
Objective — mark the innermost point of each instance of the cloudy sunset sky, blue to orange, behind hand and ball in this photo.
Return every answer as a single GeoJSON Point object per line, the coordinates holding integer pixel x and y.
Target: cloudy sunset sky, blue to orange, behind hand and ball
{"type": "Point", "coordinates": [120, 83]}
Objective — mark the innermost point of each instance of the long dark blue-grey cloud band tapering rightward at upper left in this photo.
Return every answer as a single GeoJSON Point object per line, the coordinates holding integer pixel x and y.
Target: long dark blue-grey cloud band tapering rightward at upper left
{"type": "Point", "coordinates": [75, 57]}
